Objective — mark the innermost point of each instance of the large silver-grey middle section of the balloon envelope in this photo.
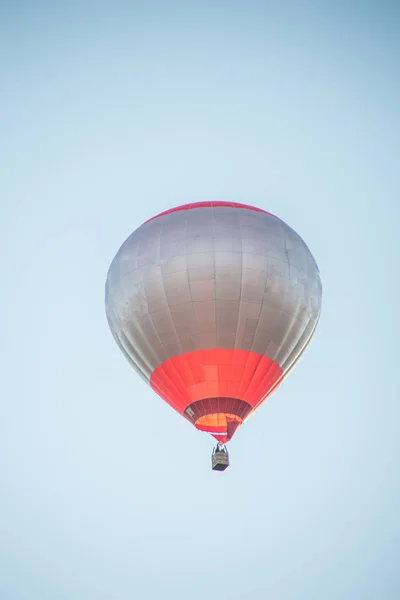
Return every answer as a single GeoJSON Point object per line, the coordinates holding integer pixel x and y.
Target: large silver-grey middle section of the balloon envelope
{"type": "Point", "coordinates": [213, 277]}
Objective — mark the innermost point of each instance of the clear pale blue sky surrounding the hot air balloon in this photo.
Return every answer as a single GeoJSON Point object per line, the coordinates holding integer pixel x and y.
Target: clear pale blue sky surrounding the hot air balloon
{"type": "Point", "coordinates": [110, 113]}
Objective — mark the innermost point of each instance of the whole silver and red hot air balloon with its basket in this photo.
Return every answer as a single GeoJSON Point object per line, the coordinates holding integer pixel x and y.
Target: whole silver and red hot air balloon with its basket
{"type": "Point", "coordinates": [213, 304]}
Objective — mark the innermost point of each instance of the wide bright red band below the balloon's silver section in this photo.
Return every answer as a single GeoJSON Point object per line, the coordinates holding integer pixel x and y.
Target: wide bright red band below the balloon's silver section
{"type": "Point", "coordinates": [216, 373]}
